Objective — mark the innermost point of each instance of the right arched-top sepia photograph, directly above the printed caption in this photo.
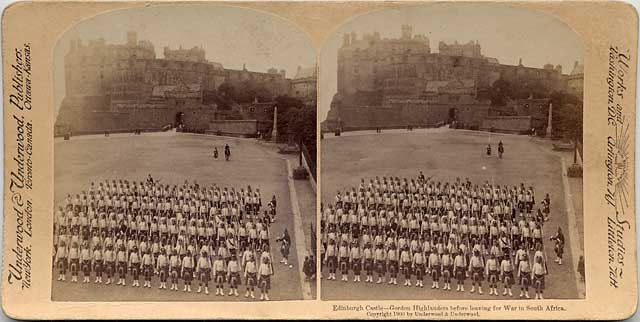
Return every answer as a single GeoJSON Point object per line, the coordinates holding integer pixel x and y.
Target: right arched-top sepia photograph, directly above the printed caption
{"type": "Point", "coordinates": [451, 155]}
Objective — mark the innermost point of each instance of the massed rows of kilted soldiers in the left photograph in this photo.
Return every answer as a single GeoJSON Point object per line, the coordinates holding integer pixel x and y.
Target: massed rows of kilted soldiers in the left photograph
{"type": "Point", "coordinates": [166, 234]}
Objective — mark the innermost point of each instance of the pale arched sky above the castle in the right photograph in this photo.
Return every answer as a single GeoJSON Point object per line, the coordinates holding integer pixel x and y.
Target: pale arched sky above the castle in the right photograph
{"type": "Point", "coordinates": [506, 33]}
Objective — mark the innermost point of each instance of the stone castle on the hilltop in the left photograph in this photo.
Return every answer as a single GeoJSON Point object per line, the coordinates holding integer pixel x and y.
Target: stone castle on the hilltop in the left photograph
{"type": "Point", "coordinates": [113, 87]}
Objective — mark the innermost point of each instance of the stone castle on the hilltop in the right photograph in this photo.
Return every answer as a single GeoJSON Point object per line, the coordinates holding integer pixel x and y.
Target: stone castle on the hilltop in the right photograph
{"type": "Point", "coordinates": [400, 82]}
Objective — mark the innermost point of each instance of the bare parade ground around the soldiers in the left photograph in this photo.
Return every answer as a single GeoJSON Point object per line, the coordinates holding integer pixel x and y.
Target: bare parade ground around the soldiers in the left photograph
{"type": "Point", "coordinates": [174, 158]}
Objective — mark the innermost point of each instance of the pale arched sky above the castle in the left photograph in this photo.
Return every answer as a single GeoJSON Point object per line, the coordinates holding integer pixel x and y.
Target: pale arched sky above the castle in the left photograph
{"type": "Point", "coordinates": [231, 36]}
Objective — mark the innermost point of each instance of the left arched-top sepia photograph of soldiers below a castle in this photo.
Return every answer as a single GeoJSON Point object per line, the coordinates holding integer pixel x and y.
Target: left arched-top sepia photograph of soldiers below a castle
{"type": "Point", "coordinates": [185, 157]}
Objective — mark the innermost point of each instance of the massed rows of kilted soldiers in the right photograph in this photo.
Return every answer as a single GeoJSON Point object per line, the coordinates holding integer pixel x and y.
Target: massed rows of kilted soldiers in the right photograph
{"type": "Point", "coordinates": [448, 231]}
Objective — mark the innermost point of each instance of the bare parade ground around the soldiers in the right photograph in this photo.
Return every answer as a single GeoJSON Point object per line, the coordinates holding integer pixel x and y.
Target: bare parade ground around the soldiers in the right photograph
{"type": "Point", "coordinates": [446, 154]}
